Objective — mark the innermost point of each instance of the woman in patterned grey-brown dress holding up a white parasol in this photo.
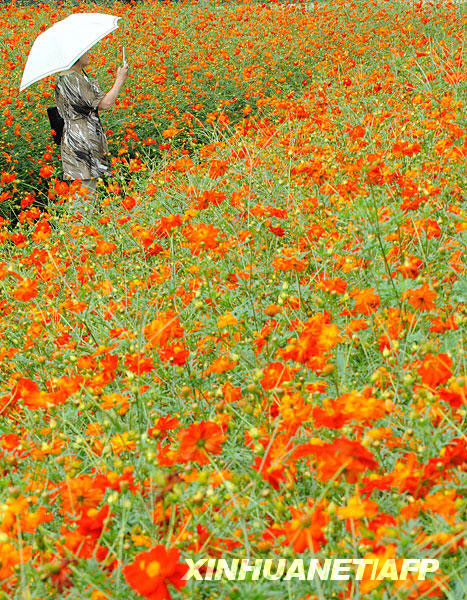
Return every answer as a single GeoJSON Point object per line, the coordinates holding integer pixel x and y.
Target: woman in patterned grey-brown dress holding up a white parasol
{"type": "Point", "coordinates": [84, 149]}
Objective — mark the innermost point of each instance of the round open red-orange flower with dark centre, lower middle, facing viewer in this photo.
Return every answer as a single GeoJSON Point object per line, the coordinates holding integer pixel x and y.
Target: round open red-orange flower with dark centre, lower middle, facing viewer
{"type": "Point", "coordinates": [198, 440]}
